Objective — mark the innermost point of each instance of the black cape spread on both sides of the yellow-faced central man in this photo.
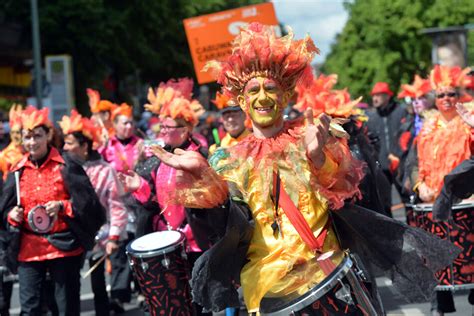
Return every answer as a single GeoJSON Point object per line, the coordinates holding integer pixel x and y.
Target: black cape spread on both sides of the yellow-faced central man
{"type": "Point", "coordinates": [407, 255]}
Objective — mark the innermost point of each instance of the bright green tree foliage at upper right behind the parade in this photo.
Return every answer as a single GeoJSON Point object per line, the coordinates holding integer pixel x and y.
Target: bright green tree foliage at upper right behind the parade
{"type": "Point", "coordinates": [382, 42]}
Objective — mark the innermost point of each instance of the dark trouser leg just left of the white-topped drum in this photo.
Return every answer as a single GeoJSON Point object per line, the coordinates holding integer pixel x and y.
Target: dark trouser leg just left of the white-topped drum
{"type": "Point", "coordinates": [121, 274]}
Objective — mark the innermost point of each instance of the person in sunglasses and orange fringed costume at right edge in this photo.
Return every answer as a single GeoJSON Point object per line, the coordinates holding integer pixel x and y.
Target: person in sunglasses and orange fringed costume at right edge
{"type": "Point", "coordinates": [443, 143]}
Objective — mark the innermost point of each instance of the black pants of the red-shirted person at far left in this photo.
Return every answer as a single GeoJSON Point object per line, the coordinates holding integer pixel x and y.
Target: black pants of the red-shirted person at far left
{"type": "Point", "coordinates": [65, 276]}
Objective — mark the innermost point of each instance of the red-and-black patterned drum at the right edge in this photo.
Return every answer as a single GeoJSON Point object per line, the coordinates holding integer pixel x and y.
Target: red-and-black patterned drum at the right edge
{"type": "Point", "coordinates": [459, 230]}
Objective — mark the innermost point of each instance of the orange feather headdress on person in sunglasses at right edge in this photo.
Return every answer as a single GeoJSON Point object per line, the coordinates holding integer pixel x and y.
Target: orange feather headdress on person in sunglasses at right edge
{"type": "Point", "coordinates": [445, 76]}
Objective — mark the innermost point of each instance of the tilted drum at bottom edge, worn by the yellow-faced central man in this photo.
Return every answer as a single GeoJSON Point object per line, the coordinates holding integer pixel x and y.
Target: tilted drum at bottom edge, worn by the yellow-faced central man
{"type": "Point", "coordinates": [341, 293]}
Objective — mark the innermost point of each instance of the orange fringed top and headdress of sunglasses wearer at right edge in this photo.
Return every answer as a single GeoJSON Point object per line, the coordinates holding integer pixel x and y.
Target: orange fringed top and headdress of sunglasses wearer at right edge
{"type": "Point", "coordinates": [443, 145]}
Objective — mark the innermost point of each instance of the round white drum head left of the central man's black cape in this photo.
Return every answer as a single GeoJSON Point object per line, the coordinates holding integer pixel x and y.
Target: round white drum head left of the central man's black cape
{"type": "Point", "coordinates": [156, 241]}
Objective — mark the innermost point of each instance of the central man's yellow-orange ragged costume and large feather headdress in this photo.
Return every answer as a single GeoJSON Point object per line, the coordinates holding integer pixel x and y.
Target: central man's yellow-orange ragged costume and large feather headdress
{"type": "Point", "coordinates": [283, 265]}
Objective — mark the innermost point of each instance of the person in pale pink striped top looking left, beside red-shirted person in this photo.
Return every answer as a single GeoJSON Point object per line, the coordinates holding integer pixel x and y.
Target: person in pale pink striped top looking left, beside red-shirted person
{"type": "Point", "coordinates": [81, 137]}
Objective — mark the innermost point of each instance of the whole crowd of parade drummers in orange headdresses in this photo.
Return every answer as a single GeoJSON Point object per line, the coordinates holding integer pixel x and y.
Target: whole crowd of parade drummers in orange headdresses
{"type": "Point", "coordinates": [270, 204]}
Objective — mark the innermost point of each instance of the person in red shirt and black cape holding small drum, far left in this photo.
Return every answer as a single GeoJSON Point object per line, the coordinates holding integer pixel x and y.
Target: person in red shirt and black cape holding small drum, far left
{"type": "Point", "coordinates": [48, 185]}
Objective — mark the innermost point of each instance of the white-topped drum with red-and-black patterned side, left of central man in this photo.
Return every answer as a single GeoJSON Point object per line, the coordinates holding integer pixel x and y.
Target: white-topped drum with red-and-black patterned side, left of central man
{"type": "Point", "coordinates": [159, 264]}
